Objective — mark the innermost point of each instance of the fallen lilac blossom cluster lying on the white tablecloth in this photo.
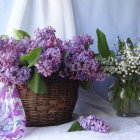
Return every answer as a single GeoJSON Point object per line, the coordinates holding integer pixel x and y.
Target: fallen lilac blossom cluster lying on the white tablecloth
{"type": "Point", "coordinates": [93, 123]}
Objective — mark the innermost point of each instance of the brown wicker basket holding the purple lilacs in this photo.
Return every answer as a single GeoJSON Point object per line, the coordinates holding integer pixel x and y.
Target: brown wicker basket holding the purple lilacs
{"type": "Point", "coordinates": [53, 108]}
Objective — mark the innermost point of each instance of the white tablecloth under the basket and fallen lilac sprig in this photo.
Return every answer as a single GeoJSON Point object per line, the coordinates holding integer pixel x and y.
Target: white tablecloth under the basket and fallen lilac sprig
{"type": "Point", "coordinates": [88, 103]}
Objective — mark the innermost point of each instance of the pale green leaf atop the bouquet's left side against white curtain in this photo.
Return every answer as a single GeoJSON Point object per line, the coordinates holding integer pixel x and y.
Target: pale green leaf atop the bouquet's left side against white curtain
{"type": "Point", "coordinates": [19, 34]}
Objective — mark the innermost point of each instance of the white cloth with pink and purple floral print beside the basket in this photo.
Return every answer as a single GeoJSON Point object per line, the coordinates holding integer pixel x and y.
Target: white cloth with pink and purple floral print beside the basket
{"type": "Point", "coordinates": [12, 115]}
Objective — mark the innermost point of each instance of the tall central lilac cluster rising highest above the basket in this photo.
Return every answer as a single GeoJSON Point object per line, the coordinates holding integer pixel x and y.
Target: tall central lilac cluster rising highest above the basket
{"type": "Point", "coordinates": [51, 57]}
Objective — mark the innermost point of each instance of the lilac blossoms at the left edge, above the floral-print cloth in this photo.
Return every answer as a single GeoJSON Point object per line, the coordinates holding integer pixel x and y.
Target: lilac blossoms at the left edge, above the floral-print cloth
{"type": "Point", "coordinates": [10, 52]}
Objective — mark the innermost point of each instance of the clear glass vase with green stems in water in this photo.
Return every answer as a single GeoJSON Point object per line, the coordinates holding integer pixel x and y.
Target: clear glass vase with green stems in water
{"type": "Point", "coordinates": [125, 97]}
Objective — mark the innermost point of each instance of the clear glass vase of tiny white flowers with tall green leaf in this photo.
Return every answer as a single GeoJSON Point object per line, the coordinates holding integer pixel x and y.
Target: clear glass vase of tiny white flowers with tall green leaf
{"type": "Point", "coordinates": [124, 65]}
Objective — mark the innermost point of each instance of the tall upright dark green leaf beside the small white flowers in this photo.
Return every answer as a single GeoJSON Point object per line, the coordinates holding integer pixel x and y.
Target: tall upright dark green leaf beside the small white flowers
{"type": "Point", "coordinates": [102, 44]}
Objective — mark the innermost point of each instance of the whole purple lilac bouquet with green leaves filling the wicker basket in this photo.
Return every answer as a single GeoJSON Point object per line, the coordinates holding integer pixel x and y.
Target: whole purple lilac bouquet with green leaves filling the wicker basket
{"type": "Point", "coordinates": [26, 61]}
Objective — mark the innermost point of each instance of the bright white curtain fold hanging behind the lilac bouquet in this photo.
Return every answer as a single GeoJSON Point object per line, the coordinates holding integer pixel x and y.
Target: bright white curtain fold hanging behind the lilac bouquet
{"type": "Point", "coordinates": [30, 14]}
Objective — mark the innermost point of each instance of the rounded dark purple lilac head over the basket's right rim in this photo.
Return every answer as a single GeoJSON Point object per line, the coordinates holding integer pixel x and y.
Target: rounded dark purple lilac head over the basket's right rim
{"type": "Point", "coordinates": [81, 66]}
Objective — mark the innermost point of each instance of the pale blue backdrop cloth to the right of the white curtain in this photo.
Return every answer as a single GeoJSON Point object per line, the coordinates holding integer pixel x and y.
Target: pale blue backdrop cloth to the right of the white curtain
{"type": "Point", "coordinates": [113, 17]}
